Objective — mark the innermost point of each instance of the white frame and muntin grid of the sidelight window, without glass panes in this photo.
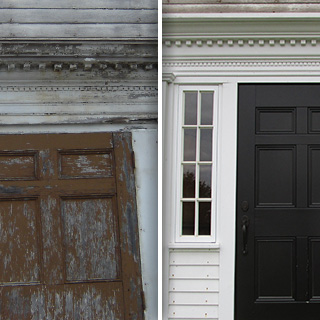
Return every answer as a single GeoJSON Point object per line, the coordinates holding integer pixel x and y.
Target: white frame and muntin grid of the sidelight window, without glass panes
{"type": "Point", "coordinates": [180, 161]}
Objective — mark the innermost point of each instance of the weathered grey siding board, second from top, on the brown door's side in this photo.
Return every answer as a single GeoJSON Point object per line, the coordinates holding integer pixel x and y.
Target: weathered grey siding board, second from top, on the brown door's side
{"type": "Point", "coordinates": [105, 16]}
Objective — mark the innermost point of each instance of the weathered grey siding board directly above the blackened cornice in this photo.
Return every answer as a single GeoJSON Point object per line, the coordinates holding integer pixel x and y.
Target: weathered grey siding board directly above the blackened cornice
{"type": "Point", "coordinates": [61, 31]}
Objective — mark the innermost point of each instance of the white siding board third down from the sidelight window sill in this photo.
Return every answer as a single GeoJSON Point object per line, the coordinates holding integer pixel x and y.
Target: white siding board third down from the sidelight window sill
{"type": "Point", "coordinates": [193, 285]}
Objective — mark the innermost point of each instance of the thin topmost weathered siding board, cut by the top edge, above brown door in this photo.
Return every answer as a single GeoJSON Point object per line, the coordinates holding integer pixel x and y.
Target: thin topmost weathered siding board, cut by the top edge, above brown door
{"type": "Point", "coordinates": [112, 4]}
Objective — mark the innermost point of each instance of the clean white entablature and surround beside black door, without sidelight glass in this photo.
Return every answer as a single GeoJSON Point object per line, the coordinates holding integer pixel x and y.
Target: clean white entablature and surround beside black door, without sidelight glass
{"type": "Point", "coordinates": [219, 51]}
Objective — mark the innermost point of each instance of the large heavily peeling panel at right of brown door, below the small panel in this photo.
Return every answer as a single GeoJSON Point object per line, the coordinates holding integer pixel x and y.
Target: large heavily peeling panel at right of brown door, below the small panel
{"type": "Point", "coordinates": [90, 239]}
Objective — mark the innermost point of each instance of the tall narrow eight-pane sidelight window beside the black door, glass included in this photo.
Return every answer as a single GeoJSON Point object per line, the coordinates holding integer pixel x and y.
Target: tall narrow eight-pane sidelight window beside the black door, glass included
{"type": "Point", "coordinates": [198, 165]}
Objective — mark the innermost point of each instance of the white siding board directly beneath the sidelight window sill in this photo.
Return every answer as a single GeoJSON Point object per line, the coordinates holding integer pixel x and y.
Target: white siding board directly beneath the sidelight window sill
{"type": "Point", "coordinates": [195, 257]}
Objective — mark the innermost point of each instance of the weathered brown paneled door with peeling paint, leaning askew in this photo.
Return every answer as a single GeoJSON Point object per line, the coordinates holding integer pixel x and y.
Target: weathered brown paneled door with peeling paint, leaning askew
{"type": "Point", "coordinates": [68, 228]}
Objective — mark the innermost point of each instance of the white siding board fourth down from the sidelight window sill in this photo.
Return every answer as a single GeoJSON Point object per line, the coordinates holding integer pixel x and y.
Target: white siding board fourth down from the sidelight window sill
{"type": "Point", "coordinates": [193, 298]}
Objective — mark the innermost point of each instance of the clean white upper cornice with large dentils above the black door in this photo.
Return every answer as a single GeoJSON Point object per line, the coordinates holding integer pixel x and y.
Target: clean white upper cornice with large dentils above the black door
{"type": "Point", "coordinates": [219, 30]}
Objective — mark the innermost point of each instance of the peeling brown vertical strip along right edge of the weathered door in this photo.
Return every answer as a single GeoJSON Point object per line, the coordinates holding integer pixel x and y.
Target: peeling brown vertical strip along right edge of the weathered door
{"type": "Point", "coordinates": [128, 225]}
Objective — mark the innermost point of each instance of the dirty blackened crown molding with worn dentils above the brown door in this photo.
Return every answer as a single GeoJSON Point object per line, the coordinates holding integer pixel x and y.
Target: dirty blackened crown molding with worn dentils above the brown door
{"type": "Point", "coordinates": [81, 56]}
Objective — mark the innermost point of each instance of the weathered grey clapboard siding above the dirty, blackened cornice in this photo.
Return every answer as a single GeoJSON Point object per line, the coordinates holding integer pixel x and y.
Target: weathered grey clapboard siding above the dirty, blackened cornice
{"type": "Point", "coordinates": [72, 19]}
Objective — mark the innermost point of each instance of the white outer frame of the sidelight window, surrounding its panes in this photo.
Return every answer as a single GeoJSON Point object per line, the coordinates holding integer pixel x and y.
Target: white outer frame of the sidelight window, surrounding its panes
{"type": "Point", "coordinates": [179, 238]}
